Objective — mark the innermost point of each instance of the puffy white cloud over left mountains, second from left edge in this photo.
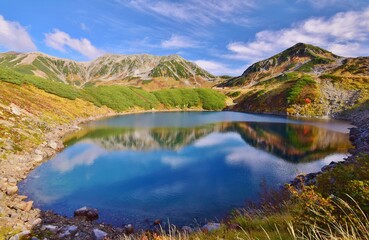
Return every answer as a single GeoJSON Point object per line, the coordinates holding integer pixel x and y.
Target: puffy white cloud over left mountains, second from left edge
{"type": "Point", "coordinates": [59, 40]}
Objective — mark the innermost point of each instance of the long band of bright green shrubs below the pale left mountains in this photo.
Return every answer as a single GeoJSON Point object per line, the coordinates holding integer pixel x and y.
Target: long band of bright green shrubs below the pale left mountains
{"type": "Point", "coordinates": [121, 98]}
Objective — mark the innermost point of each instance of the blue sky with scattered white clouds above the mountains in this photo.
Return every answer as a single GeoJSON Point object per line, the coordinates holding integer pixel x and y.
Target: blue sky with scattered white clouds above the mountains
{"type": "Point", "coordinates": [223, 37]}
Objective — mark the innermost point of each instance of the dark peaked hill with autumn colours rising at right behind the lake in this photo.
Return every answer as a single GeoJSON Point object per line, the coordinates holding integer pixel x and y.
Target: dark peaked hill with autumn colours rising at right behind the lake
{"type": "Point", "coordinates": [302, 80]}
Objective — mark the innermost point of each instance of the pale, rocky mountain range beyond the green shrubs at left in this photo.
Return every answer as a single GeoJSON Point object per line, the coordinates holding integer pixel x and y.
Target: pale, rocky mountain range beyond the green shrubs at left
{"type": "Point", "coordinates": [134, 70]}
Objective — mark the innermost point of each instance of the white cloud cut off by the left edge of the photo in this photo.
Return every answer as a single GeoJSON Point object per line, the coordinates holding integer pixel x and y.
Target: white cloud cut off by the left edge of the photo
{"type": "Point", "coordinates": [15, 37]}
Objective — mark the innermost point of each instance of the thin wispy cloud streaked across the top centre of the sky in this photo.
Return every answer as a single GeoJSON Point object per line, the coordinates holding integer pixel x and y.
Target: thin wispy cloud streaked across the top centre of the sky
{"type": "Point", "coordinates": [195, 11]}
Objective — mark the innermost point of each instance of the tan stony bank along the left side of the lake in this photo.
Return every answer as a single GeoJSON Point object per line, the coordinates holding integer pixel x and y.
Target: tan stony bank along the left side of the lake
{"type": "Point", "coordinates": [17, 212]}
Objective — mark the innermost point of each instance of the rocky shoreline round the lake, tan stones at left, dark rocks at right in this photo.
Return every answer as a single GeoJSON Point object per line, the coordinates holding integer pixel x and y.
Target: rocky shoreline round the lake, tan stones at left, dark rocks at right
{"type": "Point", "coordinates": [20, 215]}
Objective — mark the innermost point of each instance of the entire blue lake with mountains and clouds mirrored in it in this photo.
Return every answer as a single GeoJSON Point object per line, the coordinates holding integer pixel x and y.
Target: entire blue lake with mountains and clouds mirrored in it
{"type": "Point", "coordinates": [187, 167]}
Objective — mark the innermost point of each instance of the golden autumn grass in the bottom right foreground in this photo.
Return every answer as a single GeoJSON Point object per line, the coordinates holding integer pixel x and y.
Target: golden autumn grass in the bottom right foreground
{"type": "Point", "coordinates": [278, 227]}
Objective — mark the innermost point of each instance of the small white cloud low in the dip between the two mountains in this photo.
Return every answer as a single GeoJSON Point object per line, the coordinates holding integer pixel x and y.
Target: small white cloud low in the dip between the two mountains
{"type": "Point", "coordinates": [217, 68]}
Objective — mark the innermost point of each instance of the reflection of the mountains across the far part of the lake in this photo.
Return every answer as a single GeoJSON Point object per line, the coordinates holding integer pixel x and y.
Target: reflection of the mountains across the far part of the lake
{"type": "Point", "coordinates": [290, 142]}
